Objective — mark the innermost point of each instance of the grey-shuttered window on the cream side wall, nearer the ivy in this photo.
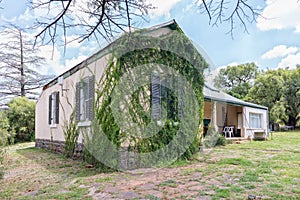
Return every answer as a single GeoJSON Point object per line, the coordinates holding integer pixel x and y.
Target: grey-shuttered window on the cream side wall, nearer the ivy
{"type": "Point", "coordinates": [85, 93]}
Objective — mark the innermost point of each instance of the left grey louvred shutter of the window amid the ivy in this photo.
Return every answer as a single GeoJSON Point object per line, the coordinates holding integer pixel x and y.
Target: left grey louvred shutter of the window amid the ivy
{"type": "Point", "coordinates": [155, 98]}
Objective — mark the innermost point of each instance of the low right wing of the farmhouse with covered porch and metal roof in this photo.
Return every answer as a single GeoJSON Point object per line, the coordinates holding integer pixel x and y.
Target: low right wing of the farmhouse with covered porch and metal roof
{"type": "Point", "coordinates": [234, 117]}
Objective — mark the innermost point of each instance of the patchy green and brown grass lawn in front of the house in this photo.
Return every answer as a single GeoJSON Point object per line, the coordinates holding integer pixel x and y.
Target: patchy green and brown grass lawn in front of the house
{"type": "Point", "coordinates": [269, 169]}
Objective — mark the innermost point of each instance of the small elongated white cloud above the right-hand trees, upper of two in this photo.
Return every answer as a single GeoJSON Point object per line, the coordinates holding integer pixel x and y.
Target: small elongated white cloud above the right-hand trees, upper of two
{"type": "Point", "coordinates": [279, 51]}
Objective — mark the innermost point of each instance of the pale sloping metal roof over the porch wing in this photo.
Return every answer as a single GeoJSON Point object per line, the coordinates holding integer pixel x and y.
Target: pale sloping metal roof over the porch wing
{"type": "Point", "coordinates": [213, 94]}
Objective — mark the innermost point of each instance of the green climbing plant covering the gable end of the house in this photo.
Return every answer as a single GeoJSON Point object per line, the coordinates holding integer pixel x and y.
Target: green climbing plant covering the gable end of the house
{"type": "Point", "coordinates": [172, 50]}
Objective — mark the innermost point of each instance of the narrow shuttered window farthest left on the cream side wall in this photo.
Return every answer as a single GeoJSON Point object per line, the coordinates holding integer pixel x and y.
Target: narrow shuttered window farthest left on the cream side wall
{"type": "Point", "coordinates": [54, 108]}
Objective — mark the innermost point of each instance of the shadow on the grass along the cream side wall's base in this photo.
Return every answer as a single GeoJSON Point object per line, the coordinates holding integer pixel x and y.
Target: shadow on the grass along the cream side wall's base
{"type": "Point", "coordinates": [58, 163]}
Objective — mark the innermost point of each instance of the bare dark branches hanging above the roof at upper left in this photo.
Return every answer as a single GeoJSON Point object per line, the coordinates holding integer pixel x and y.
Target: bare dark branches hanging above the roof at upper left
{"type": "Point", "coordinates": [88, 18]}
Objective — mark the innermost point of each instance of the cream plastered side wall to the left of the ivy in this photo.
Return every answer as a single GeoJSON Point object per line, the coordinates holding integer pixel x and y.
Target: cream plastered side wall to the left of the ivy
{"type": "Point", "coordinates": [67, 101]}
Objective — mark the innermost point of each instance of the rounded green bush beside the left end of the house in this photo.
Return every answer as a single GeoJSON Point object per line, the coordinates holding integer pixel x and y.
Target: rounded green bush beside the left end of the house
{"type": "Point", "coordinates": [21, 116]}
